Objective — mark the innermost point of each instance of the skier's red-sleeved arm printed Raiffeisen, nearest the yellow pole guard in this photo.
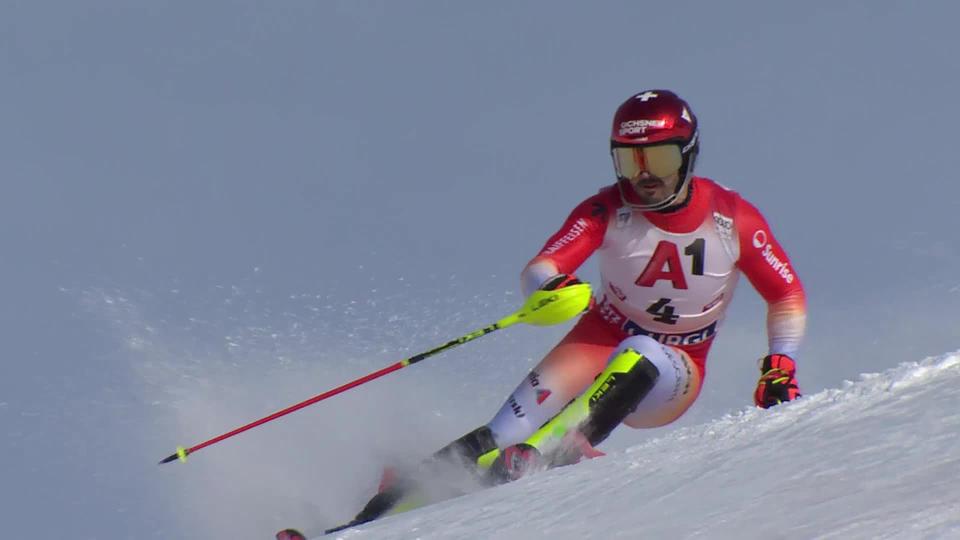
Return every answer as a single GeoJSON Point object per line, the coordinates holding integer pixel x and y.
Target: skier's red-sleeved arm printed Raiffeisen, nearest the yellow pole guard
{"type": "Point", "coordinates": [581, 234]}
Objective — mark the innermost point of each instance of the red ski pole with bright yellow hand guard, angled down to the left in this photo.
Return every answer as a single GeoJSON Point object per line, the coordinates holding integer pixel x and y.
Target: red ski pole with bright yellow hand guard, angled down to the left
{"type": "Point", "coordinates": [542, 308]}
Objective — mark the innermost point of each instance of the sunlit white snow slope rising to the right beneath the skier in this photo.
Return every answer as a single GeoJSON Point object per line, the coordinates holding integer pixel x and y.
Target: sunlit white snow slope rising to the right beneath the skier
{"type": "Point", "coordinates": [879, 458]}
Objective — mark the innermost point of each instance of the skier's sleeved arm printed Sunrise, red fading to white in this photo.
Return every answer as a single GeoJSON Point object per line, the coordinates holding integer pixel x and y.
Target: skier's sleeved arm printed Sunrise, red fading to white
{"type": "Point", "coordinates": [768, 268]}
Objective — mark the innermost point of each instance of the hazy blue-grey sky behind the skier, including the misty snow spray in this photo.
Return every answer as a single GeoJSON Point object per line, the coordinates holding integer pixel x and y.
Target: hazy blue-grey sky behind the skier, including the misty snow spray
{"type": "Point", "coordinates": [211, 211]}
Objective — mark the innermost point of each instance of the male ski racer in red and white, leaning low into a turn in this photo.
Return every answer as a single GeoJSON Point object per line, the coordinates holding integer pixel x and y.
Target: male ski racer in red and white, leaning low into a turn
{"type": "Point", "coordinates": [671, 247]}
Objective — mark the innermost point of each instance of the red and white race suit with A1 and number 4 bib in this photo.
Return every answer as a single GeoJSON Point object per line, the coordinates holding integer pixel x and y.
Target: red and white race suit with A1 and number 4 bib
{"type": "Point", "coordinates": [670, 276]}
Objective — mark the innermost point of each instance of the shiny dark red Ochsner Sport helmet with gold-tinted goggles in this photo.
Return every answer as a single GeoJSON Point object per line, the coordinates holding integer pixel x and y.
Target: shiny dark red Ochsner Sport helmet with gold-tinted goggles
{"type": "Point", "coordinates": [656, 131]}
